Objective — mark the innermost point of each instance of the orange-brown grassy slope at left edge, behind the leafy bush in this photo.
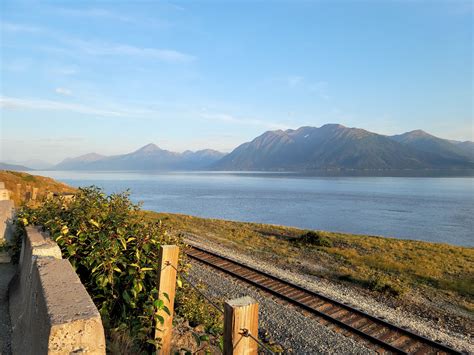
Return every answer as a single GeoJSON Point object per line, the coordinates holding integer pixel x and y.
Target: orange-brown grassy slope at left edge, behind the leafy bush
{"type": "Point", "coordinates": [27, 182]}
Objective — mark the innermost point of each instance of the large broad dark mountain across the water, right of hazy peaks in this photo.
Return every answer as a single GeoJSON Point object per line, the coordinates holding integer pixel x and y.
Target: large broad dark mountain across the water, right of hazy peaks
{"type": "Point", "coordinates": [333, 147]}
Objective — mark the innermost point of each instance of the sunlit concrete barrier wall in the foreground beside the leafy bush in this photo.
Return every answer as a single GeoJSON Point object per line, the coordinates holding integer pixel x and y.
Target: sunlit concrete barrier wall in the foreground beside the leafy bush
{"type": "Point", "coordinates": [50, 310]}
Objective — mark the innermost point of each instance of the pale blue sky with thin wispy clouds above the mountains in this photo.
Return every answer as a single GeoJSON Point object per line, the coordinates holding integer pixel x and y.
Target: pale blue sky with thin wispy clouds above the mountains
{"type": "Point", "coordinates": [111, 76]}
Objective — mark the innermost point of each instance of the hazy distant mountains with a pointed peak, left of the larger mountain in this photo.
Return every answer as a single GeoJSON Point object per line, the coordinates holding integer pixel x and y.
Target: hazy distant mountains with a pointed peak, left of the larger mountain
{"type": "Point", "coordinates": [149, 157]}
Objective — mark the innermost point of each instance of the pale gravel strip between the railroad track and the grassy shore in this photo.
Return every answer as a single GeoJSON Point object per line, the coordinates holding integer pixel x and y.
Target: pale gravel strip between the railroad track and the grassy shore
{"type": "Point", "coordinates": [350, 295]}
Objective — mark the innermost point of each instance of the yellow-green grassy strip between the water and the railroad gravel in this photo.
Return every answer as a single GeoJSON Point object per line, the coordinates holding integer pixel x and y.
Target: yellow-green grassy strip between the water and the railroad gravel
{"type": "Point", "coordinates": [386, 265]}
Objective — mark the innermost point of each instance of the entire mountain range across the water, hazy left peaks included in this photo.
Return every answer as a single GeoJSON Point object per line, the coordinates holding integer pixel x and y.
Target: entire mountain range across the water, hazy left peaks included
{"type": "Point", "coordinates": [332, 147]}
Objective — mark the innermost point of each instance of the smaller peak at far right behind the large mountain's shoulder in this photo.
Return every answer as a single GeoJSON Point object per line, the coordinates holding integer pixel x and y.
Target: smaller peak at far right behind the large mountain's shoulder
{"type": "Point", "coordinates": [426, 142]}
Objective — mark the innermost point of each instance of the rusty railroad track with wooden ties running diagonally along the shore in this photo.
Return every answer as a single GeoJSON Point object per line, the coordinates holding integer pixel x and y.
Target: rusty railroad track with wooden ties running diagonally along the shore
{"type": "Point", "coordinates": [383, 336]}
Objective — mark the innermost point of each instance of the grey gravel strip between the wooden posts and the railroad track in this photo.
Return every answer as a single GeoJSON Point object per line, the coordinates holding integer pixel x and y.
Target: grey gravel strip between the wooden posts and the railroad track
{"type": "Point", "coordinates": [286, 325]}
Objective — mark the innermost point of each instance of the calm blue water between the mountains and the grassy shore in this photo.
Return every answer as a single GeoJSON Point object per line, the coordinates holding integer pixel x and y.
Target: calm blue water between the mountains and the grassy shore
{"type": "Point", "coordinates": [431, 209]}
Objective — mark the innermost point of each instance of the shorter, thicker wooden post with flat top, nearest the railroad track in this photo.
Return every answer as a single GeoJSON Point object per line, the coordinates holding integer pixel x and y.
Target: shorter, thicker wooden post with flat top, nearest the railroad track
{"type": "Point", "coordinates": [240, 314]}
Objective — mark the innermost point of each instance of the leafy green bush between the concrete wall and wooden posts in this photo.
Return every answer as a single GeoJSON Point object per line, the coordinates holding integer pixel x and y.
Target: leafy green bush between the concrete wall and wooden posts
{"type": "Point", "coordinates": [114, 250]}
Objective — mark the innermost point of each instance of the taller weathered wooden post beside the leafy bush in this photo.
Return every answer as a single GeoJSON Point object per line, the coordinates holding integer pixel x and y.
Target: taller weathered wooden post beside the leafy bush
{"type": "Point", "coordinates": [167, 284]}
